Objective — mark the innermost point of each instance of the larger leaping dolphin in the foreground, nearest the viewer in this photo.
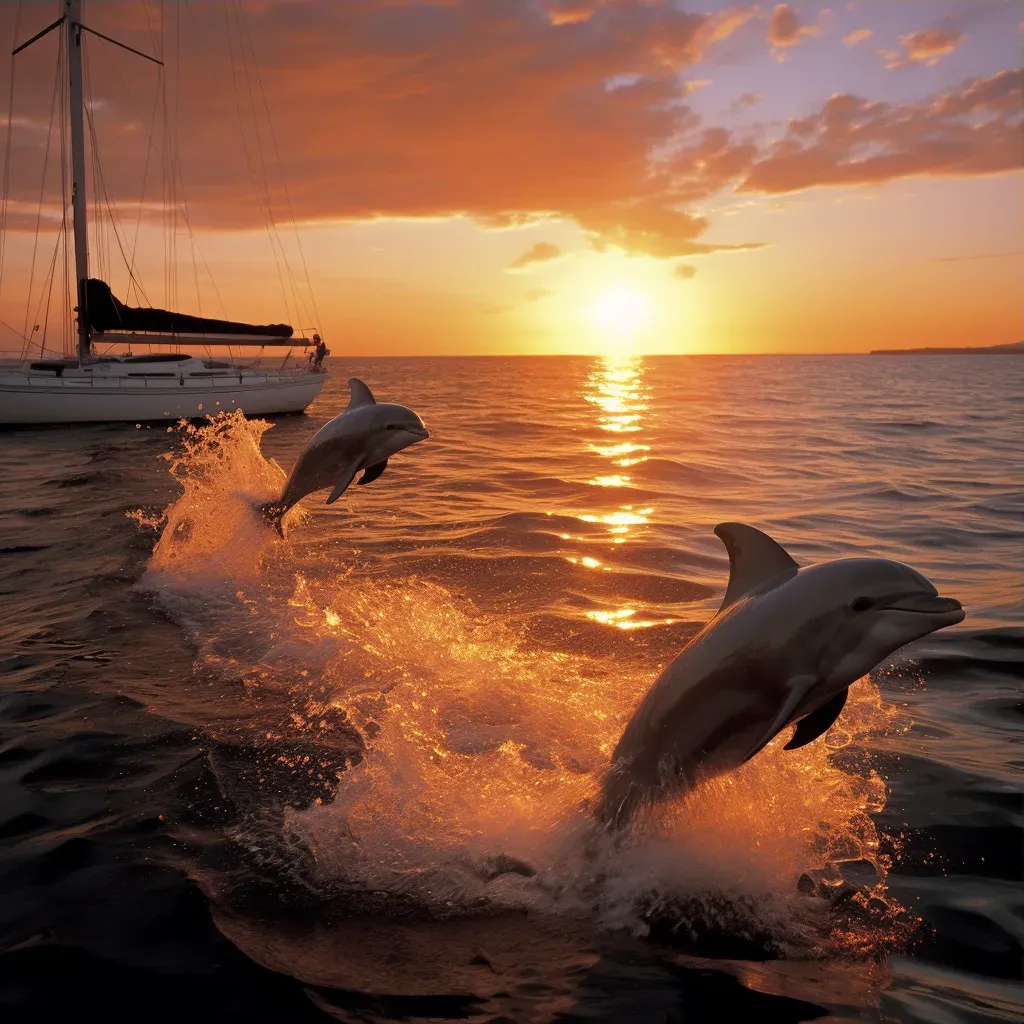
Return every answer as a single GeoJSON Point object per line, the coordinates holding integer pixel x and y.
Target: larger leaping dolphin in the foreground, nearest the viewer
{"type": "Point", "coordinates": [784, 648]}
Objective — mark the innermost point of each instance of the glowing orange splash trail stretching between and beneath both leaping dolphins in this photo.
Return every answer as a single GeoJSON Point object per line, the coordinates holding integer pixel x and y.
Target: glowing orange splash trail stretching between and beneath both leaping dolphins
{"type": "Point", "coordinates": [479, 755]}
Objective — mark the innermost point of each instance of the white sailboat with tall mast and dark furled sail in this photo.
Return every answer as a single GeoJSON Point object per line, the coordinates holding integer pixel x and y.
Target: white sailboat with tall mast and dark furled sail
{"type": "Point", "coordinates": [169, 386]}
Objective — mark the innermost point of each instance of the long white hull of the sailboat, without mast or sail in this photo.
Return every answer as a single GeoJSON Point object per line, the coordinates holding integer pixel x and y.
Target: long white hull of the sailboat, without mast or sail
{"type": "Point", "coordinates": [30, 398]}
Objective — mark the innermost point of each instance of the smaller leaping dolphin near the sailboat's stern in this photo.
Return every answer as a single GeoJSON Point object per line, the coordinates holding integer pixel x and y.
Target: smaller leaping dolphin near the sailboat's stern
{"type": "Point", "coordinates": [363, 438]}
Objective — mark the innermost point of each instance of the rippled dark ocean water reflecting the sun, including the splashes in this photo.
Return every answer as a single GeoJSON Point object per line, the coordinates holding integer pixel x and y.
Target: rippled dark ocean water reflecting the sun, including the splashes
{"type": "Point", "coordinates": [252, 779]}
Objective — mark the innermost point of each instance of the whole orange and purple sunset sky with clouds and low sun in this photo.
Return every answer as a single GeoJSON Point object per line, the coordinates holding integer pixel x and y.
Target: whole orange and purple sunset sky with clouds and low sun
{"type": "Point", "coordinates": [488, 177]}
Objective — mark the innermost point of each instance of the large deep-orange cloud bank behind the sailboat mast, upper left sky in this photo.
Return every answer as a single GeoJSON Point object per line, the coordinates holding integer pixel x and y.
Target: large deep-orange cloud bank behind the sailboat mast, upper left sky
{"type": "Point", "coordinates": [397, 110]}
